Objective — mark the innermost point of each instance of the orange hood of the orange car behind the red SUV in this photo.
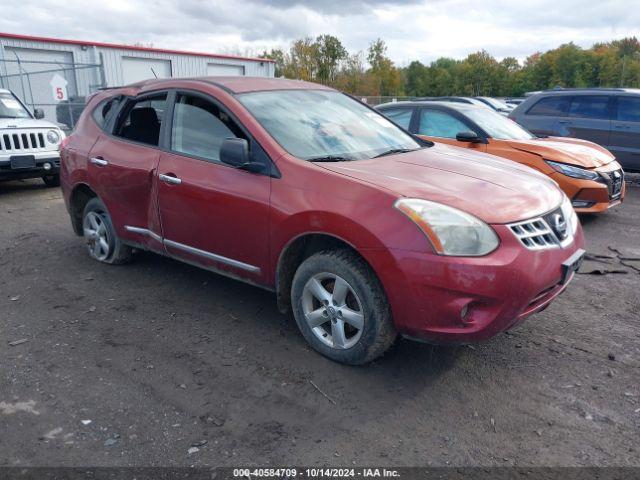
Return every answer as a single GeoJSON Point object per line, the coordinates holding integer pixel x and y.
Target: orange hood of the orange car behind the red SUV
{"type": "Point", "coordinates": [580, 153]}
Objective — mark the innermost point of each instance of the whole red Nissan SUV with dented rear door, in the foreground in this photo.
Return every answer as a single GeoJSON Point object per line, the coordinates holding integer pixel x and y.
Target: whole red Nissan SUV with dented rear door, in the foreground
{"type": "Point", "coordinates": [362, 230]}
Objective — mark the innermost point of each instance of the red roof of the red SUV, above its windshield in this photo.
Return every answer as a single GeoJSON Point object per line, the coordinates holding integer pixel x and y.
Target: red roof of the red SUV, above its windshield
{"type": "Point", "coordinates": [234, 84]}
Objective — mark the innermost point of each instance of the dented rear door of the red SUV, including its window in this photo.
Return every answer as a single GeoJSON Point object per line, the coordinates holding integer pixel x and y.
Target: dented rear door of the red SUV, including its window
{"type": "Point", "coordinates": [122, 167]}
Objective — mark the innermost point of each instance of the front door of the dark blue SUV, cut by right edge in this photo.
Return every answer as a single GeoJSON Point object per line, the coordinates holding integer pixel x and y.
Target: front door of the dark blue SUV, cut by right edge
{"type": "Point", "coordinates": [624, 142]}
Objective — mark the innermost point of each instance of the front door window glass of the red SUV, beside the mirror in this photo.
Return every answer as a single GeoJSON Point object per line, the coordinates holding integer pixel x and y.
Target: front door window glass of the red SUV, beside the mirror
{"type": "Point", "coordinates": [199, 127]}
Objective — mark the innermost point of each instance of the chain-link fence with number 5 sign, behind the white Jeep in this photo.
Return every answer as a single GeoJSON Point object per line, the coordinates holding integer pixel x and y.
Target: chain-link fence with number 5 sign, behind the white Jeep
{"type": "Point", "coordinates": [50, 81]}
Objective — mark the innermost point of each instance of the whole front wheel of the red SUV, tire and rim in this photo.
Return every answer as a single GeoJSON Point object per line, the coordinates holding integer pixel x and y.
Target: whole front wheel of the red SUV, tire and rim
{"type": "Point", "coordinates": [341, 308]}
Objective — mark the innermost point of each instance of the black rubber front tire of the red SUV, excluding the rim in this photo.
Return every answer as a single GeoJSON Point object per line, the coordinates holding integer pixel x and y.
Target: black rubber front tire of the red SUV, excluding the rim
{"type": "Point", "coordinates": [378, 332]}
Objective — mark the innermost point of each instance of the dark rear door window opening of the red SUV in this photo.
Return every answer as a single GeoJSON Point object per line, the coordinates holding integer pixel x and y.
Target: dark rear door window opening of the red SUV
{"type": "Point", "coordinates": [143, 119]}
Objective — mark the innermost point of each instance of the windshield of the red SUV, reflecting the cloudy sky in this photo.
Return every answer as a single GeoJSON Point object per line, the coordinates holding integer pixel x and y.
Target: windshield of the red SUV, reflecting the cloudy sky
{"type": "Point", "coordinates": [316, 124]}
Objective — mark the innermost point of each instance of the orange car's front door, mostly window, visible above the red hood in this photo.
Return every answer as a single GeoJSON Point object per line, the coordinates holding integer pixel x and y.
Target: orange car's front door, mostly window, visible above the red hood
{"type": "Point", "coordinates": [443, 126]}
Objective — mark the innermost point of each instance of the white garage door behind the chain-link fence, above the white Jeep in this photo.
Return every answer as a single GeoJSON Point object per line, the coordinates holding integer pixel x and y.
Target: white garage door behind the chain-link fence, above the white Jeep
{"type": "Point", "coordinates": [31, 82]}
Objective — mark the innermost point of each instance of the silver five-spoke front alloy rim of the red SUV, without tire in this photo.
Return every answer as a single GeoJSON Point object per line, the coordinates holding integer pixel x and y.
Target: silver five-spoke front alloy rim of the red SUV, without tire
{"type": "Point", "coordinates": [332, 310]}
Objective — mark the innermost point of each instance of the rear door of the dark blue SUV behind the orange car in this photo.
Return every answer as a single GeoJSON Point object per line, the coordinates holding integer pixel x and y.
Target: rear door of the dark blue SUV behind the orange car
{"type": "Point", "coordinates": [588, 118]}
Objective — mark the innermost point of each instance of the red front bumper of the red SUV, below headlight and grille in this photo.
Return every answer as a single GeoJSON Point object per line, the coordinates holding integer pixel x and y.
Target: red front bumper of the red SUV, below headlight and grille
{"type": "Point", "coordinates": [465, 299]}
